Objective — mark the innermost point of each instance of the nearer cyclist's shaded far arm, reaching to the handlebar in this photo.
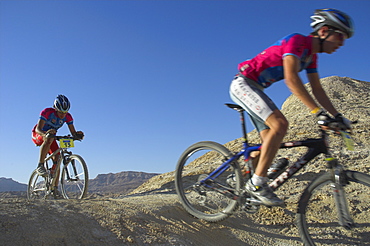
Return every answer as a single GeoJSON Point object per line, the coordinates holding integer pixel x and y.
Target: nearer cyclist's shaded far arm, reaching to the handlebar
{"type": "Point", "coordinates": [320, 94]}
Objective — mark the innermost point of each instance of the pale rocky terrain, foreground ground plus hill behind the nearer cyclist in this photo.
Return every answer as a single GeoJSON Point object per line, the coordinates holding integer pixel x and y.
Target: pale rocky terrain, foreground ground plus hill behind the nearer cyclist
{"type": "Point", "coordinates": [152, 215]}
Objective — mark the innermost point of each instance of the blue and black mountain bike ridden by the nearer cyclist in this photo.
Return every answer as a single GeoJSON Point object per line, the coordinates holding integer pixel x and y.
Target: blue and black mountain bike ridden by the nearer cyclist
{"type": "Point", "coordinates": [210, 183]}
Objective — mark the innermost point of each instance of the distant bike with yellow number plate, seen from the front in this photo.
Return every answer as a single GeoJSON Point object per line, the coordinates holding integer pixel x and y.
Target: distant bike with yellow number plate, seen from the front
{"type": "Point", "coordinates": [71, 169]}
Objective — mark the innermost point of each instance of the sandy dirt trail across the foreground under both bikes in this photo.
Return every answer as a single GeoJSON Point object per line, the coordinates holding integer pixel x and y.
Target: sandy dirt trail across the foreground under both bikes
{"type": "Point", "coordinates": [150, 219]}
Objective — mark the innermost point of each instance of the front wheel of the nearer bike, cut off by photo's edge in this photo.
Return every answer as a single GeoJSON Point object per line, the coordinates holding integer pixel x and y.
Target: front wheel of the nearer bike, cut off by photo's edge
{"type": "Point", "coordinates": [319, 212]}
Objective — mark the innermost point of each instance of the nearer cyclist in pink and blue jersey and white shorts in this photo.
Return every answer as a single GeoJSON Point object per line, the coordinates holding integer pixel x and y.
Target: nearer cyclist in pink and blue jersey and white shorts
{"type": "Point", "coordinates": [284, 60]}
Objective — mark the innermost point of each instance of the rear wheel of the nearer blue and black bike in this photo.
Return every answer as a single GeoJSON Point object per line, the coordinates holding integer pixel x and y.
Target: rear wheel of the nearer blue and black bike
{"type": "Point", "coordinates": [206, 201]}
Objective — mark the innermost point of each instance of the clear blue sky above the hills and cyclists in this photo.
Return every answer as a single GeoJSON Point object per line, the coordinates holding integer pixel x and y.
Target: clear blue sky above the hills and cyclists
{"type": "Point", "coordinates": [145, 78]}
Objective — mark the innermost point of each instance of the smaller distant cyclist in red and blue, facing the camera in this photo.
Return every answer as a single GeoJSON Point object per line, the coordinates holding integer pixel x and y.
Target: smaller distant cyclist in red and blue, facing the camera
{"type": "Point", "coordinates": [51, 119]}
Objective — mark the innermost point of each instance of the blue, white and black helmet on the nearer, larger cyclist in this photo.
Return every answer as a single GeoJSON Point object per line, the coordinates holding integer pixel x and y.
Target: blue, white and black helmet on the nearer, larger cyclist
{"type": "Point", "coordinates": [333, 18]}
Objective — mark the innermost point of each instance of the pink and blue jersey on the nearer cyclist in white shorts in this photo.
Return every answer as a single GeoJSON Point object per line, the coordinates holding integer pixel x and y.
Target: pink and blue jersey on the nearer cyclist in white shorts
{"type": "Point", "coordinates": [267, 67]}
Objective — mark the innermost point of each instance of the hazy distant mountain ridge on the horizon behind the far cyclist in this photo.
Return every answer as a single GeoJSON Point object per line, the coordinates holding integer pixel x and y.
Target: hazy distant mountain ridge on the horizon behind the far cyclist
{"type": "Point", "coordinates": [120, 183]}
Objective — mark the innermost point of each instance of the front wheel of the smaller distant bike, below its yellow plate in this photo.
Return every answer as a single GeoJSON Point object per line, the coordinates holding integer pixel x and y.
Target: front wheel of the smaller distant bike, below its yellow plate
{"type": "Point", "coordinates": [75, 178]}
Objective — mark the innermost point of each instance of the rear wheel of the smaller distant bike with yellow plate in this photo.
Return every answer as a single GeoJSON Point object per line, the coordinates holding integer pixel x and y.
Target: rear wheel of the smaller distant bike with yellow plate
{"type": "Point", "coordinates": [37, 188]}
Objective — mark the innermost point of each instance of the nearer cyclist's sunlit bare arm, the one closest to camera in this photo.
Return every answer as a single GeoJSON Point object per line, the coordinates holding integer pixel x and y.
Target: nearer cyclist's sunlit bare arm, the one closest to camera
{"type": "Point", "coordinates": [294, 82]}
